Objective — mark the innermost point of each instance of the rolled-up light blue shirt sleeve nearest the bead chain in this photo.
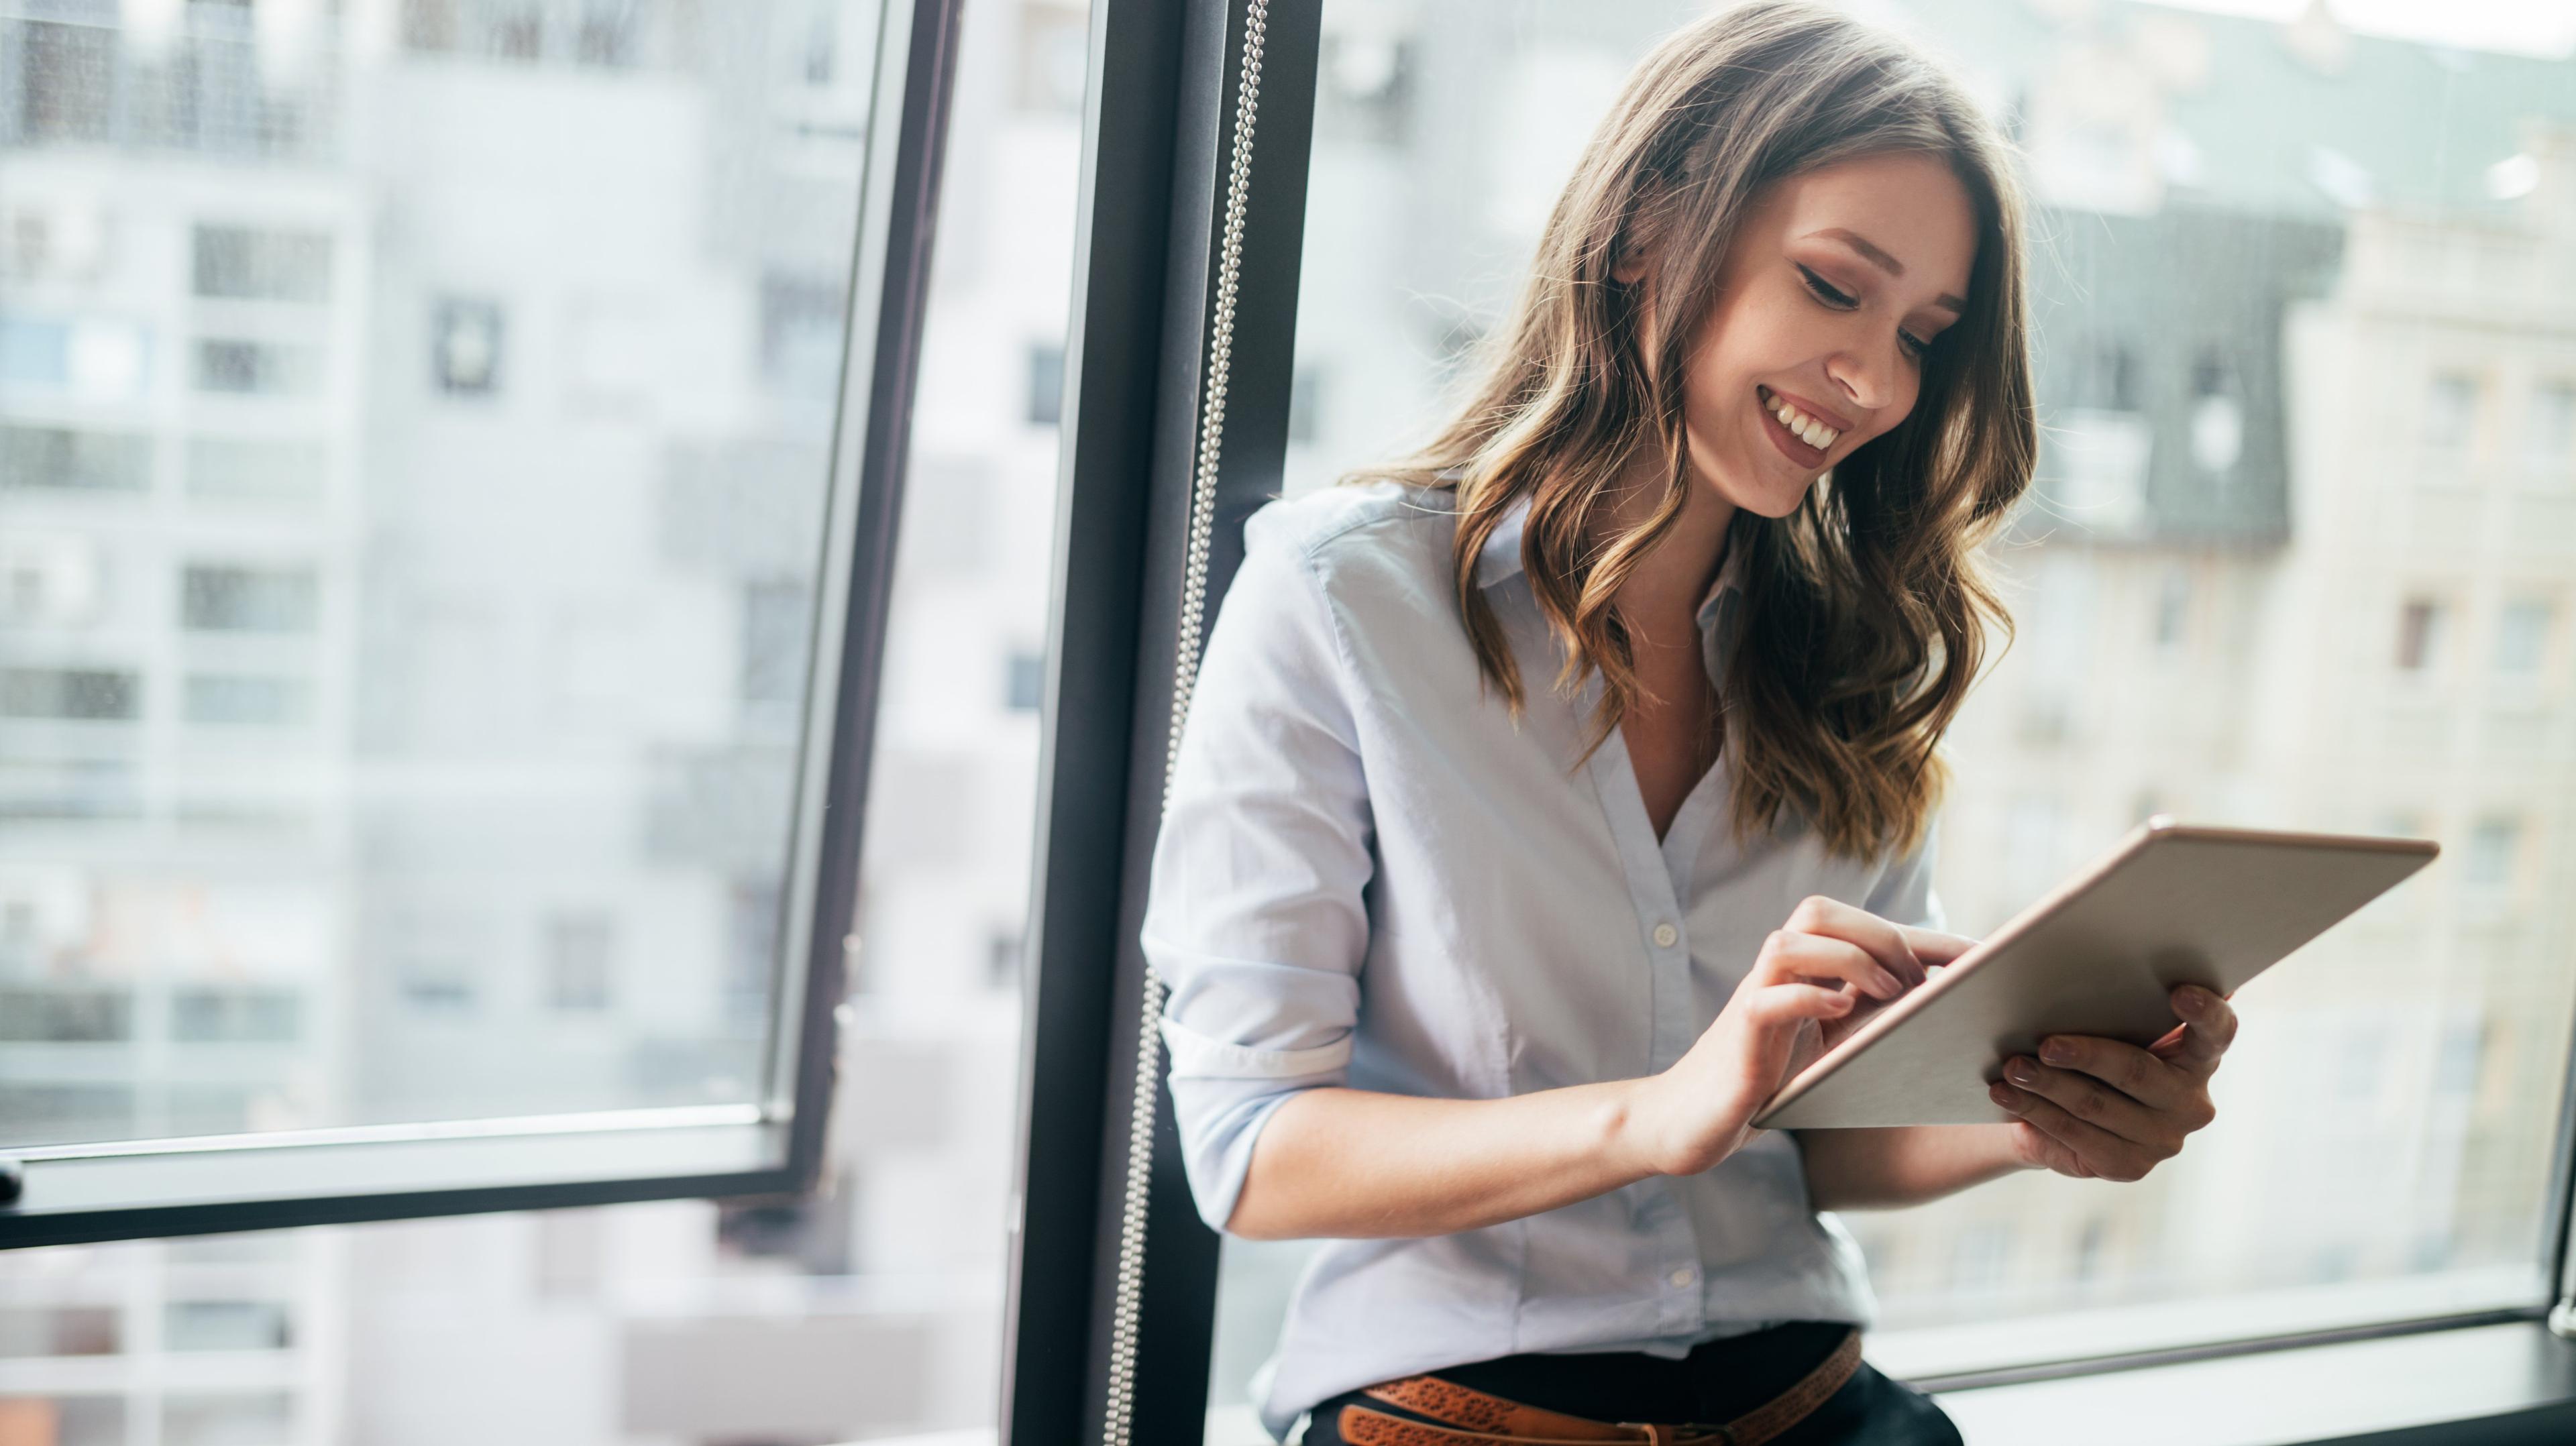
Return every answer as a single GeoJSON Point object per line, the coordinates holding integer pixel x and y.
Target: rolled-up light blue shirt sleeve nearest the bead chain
{"type": "Point", "coordinates": [1256, 911]}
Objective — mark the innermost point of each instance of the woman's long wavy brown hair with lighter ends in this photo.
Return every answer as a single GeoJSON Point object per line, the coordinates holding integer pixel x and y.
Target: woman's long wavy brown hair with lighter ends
{"type": "Point", "coordinates": [1869, 607]}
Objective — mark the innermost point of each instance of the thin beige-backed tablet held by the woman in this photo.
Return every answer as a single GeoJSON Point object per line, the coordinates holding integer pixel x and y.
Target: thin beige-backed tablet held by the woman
{"type": "Point", "coordinates": [2101, 955]}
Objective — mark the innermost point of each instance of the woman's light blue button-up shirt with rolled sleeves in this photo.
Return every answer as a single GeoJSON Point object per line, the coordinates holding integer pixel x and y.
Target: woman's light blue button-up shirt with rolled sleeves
{"type": "Point", "coordinates": [1372, 878]}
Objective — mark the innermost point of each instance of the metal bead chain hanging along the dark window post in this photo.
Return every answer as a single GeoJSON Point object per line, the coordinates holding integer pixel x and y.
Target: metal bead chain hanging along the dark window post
{"type": "Point", "coordinates": [1194, 610]}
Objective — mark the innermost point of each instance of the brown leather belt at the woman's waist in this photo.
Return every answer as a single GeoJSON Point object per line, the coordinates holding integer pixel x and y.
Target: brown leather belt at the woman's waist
{"type": "Point", "coordinates": [1475, 1419]}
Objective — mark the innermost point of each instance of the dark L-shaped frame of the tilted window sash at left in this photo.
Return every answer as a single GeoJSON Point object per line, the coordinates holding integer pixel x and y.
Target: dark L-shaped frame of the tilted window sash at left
{"type": "Point", "coordinates": [774, 1146]}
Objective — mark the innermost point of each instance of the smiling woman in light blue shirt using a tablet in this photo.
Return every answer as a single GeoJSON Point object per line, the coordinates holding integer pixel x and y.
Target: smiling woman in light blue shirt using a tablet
{"type": "Point", "coordinates": [1549, 803]}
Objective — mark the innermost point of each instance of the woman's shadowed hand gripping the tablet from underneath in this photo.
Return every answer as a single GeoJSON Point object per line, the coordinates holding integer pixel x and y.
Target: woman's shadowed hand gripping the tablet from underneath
{"type": "Point", "coordinates": [2101, 1110]}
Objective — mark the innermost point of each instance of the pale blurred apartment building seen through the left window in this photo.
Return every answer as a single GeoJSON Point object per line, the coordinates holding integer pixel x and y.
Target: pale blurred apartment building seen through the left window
{"type": "Point", "coordinates": [411, 442]}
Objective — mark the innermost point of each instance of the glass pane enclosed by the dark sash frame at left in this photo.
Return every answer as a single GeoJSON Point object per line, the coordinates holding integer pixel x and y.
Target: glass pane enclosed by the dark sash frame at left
{"type": "Point", "coordinates": [413, 450]}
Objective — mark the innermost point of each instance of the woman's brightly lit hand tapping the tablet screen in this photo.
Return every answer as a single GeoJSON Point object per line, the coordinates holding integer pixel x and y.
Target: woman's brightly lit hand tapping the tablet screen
{"type": "Point", "coordinates": [1820, 976]}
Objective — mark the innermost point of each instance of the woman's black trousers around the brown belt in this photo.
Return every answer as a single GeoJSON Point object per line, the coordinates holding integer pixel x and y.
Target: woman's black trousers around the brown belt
{"type": "Point", "coordinates": [1714, 1385]}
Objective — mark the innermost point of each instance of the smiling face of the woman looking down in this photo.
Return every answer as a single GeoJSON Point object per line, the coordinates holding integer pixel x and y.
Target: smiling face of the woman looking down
{"type": "Point", "coordinates": [1833, 290]}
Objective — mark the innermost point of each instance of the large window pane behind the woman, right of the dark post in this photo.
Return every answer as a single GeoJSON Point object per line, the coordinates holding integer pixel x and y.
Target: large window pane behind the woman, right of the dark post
{"type": "Point", "coordinates": [2291, 561]}
